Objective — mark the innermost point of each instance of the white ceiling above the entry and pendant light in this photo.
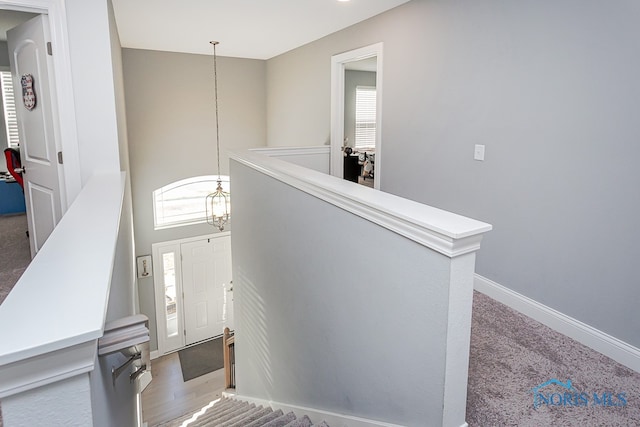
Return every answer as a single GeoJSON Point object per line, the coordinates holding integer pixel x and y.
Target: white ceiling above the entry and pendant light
{"type": "Point", "coordinates": [259, 29]}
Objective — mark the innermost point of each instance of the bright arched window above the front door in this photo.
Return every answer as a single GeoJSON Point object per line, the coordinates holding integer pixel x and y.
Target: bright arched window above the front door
{"type": "Point", "coordinates": [183, 202]}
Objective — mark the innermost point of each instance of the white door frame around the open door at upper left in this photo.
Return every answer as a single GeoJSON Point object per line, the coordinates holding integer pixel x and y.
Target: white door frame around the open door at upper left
{"type": "Point", "coordinates": [64, 104]}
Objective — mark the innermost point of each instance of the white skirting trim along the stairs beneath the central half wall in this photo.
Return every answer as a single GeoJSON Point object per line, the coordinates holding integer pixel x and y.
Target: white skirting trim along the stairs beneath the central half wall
{"type": "Point", "coordinates": [316, 415]}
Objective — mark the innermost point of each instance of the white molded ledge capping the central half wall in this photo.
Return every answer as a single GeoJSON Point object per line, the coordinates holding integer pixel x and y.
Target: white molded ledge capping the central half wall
{"type": "Point", "coordinates": [445, 232]}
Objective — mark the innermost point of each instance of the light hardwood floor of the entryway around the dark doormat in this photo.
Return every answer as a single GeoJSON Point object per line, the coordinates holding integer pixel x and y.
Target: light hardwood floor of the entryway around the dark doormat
{"type": "Point", "coordinates": [168, 397]}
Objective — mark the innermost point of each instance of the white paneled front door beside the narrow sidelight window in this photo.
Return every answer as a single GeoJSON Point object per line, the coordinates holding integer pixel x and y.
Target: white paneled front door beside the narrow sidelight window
{"type": "Point", "coordinates": [206, 276]}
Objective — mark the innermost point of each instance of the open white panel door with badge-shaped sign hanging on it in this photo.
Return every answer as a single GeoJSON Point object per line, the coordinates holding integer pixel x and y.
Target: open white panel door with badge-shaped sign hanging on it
{"type": "Point", "coordinates": [31, 67]}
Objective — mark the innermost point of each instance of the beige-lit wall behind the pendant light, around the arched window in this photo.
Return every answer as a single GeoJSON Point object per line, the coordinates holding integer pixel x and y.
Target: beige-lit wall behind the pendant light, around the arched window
{"type": "Point", "coordinates": [171, 129]}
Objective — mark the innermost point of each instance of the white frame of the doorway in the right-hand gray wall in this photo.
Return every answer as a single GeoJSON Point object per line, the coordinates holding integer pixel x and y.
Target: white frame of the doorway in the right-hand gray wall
{"type": "Point", "coordinates": [338, 66]}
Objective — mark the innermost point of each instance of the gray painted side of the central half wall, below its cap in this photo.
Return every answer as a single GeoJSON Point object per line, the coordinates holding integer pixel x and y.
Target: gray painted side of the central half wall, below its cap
{"type": "Point", "coordinates": [316, 322]}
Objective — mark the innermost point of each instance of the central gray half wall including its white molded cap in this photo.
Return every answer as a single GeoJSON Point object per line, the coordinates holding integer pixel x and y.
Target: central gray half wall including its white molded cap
{"type": "Point", "coordinates": [351, 304]}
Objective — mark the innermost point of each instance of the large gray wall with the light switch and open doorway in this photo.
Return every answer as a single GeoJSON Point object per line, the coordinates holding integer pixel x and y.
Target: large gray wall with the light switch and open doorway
{"type": "Point", "coordinates": [551, 89]}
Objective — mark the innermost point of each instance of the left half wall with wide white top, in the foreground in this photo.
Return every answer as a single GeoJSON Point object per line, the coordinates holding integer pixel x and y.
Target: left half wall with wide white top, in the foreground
{"type": "Point", "coordinates": [52, 319]}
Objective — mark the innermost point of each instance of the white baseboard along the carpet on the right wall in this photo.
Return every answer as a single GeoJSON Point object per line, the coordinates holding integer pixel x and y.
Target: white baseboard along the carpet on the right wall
{"type": "Point", "coordinates": [593, 338]}
